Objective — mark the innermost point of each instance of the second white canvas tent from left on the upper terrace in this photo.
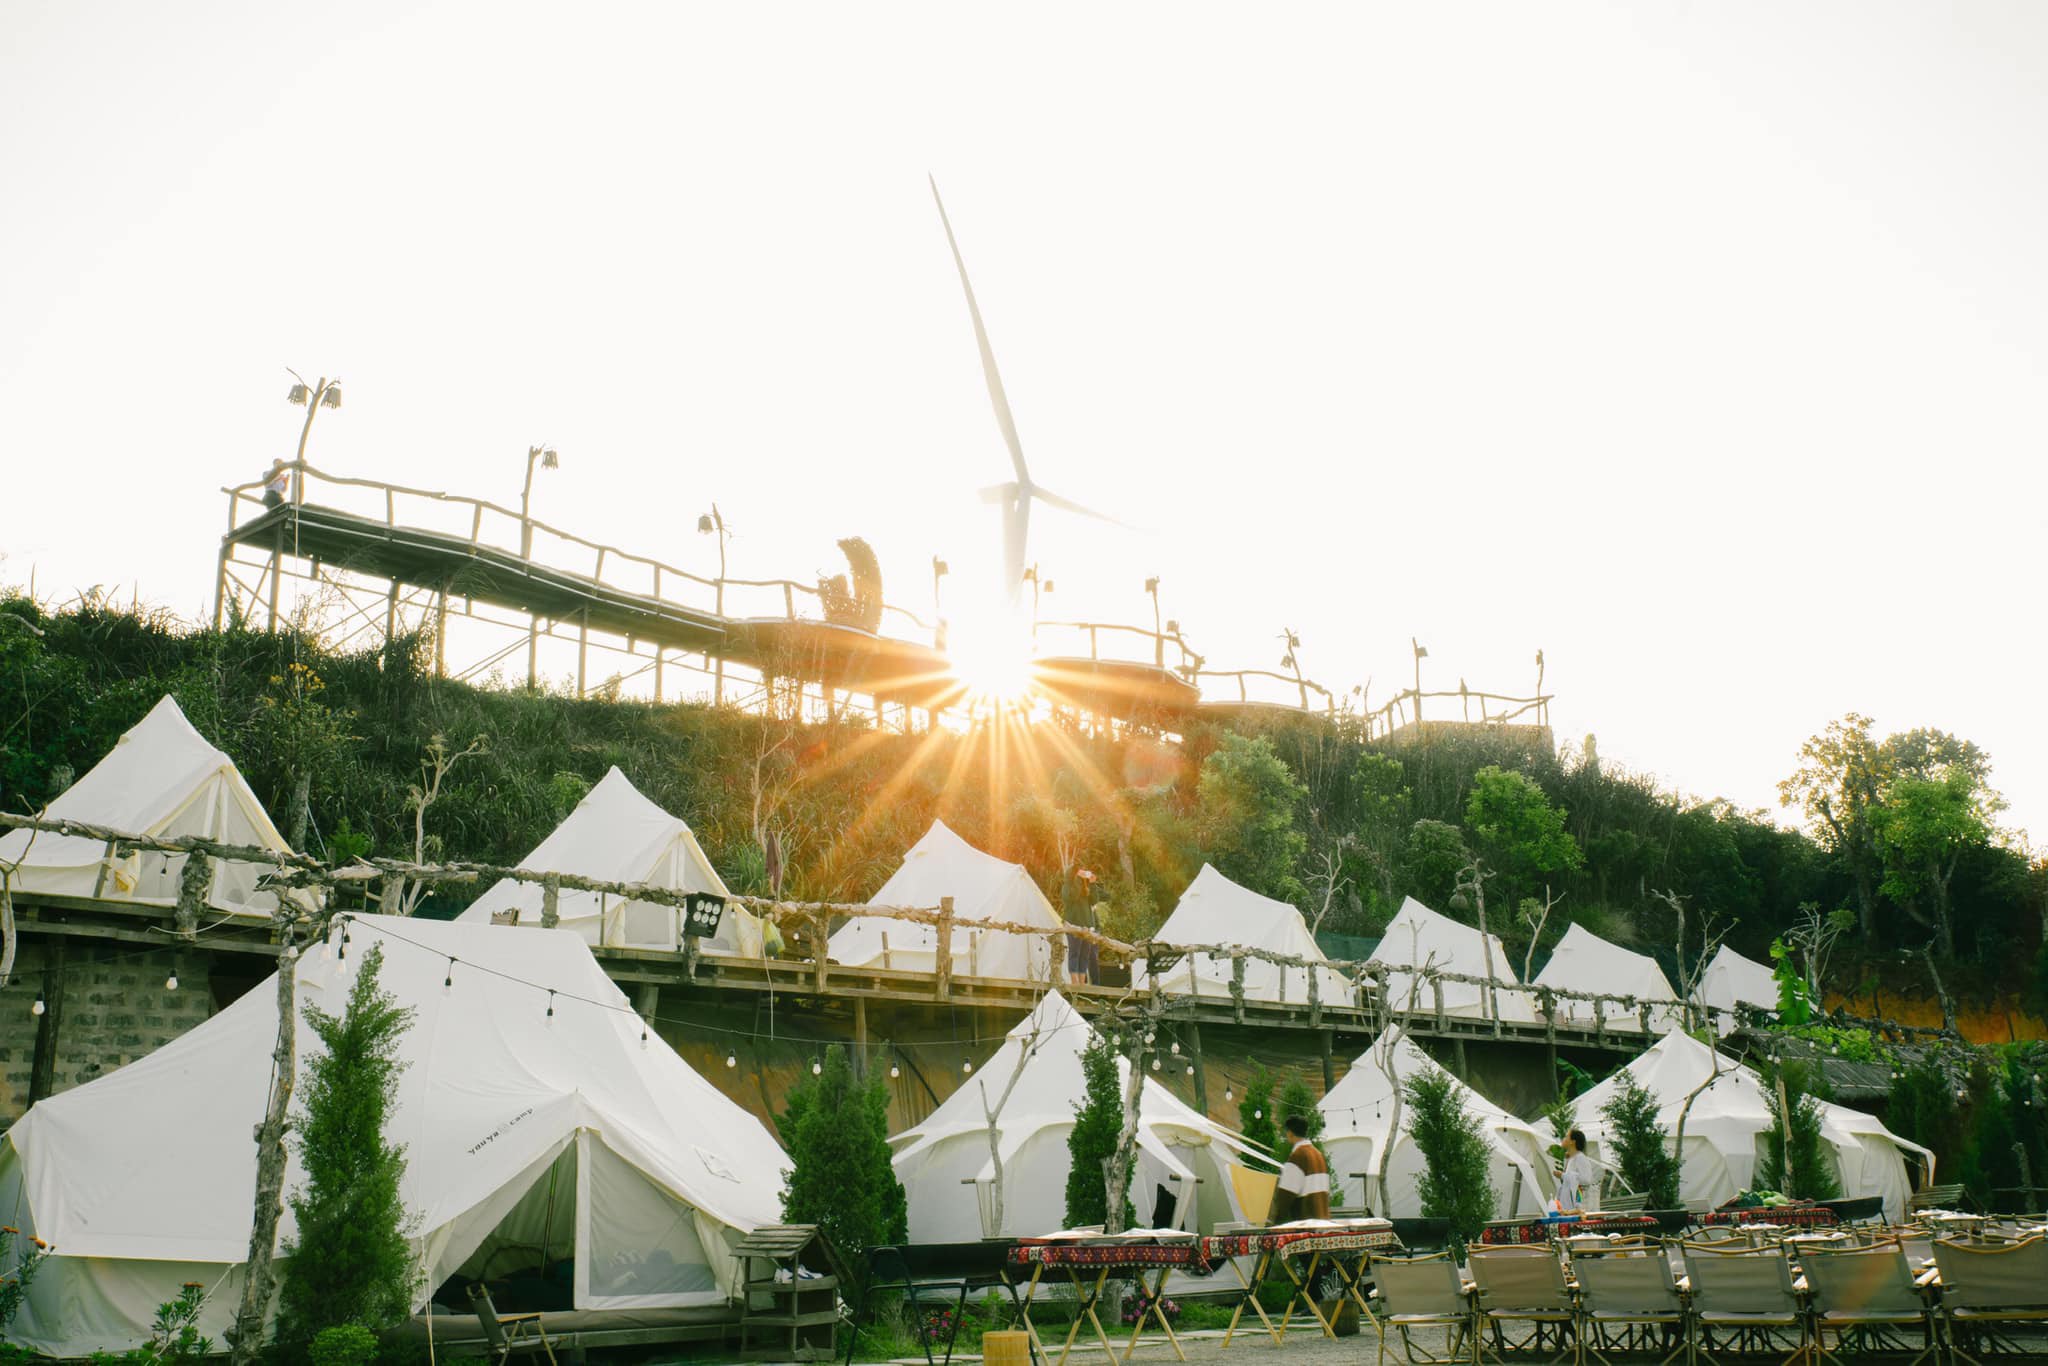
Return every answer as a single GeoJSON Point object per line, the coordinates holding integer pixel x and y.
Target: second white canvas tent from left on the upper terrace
{"type": "Point", "coordinates": [615, 835]}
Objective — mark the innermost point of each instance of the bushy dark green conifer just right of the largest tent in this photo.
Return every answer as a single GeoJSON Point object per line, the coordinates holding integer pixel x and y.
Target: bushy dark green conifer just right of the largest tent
{"type": "Point", "coordinates": [837, 1132]}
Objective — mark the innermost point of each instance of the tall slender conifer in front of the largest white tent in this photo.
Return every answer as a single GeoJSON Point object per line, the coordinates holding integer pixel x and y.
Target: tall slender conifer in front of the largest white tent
{"type": "Point", "coordinates": [351, 1261]}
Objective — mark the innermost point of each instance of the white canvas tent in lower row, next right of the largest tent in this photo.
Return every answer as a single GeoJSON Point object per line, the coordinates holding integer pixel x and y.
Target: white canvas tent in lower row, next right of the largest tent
{"type": "Point", "coordinates": [1181, 1152]}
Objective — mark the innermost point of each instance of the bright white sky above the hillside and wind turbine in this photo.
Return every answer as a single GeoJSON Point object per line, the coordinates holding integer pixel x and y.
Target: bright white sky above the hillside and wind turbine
{"type": "Point", "coordinates": [1699, 345]}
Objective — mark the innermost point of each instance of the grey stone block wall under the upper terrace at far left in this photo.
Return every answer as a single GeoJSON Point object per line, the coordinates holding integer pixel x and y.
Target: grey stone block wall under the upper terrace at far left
{"type": "Point", "coordinates": [116, 1009]}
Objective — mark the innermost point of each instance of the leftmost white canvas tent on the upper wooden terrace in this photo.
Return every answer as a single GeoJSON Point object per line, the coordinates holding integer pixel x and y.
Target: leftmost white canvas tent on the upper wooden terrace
{"type": "Point", "coordinates": [163, 779]}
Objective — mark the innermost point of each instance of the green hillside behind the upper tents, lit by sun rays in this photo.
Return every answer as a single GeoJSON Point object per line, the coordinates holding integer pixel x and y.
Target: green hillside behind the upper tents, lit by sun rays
{"type": "Point", "coordinates": [1304, 810]}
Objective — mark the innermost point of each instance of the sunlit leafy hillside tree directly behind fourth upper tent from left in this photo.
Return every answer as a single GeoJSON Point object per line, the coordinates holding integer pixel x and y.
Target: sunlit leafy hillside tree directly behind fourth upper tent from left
{"type": "Point", "coordinates": [1248, 806]}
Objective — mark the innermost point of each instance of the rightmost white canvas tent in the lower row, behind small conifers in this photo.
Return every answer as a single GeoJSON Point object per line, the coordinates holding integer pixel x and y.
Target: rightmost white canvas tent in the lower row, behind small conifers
{"type": "Point", "coordinates": [1730, 1121]}
